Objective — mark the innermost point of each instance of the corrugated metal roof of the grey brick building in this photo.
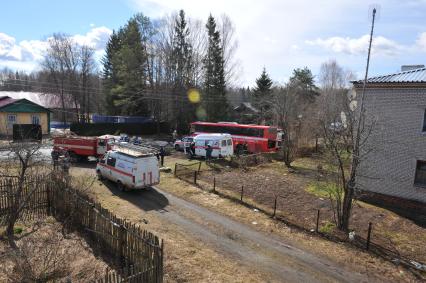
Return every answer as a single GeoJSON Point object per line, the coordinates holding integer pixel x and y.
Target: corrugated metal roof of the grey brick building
{"type": "Point", "coordinates": [412, 76]}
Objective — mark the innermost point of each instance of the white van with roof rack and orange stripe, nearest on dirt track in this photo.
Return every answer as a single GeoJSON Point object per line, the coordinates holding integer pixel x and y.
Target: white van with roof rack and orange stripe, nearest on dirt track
{"type": "Point", "coordinates": [131, 167]}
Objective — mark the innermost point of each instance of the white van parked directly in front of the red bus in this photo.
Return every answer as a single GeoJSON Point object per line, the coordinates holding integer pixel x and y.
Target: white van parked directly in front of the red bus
{"type": "Point", "coordinates": [221, 144]}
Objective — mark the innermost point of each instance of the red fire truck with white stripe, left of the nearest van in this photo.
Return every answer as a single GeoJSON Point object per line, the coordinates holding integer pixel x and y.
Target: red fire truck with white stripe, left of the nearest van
{"type": "Point", "coordinates": [80, 148]}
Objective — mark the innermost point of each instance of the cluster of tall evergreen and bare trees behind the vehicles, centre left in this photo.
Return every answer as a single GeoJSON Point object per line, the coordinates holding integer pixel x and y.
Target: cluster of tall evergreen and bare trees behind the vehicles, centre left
{"type": "Point", "coordinates": [151, 67]}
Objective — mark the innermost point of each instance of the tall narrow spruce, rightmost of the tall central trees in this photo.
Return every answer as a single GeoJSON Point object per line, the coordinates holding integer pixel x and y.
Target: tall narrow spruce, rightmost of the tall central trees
{"type": "Point", "coordinates": [214, 77]}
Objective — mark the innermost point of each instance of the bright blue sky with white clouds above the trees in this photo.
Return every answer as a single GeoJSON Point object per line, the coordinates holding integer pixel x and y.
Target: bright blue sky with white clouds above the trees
{"type": "Point", "coordinates": [278, 35]}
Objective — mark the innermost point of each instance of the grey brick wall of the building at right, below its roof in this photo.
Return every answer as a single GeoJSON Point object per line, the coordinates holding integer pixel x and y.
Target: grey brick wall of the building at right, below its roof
{"type": "Point", "coordinates": [396, 142]}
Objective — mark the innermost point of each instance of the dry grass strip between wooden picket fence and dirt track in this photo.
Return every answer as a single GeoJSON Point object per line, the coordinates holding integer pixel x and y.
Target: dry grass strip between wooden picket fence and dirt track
{"type": "Point", "coordinates": [186, 258]}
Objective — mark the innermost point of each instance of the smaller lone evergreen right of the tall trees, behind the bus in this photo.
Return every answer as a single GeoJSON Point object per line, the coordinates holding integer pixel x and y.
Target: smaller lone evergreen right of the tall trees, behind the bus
{"type": "Point", "coordinates": [262, 95]}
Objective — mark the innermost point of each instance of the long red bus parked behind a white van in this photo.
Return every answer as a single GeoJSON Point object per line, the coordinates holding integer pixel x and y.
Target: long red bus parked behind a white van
{"type": "Point", "coordinates": [253, 138]}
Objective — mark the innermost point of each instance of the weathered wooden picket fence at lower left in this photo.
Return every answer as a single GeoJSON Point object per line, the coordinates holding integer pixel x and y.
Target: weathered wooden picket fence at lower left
{"type": "Point", "coordinates": [137, 252]}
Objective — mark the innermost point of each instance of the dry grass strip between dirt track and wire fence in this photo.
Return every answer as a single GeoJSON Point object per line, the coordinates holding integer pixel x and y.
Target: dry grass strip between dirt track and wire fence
{"type": "Point", "coordinates": [353, 259]}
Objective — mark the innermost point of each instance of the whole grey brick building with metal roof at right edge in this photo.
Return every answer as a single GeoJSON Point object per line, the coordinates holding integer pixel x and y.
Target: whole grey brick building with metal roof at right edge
{"type": "Point", "coordinates": [393, 169]}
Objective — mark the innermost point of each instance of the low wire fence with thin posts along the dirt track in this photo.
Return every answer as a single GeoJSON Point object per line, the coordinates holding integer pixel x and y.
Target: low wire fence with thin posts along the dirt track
{"type": "Point", "coordinates": [278, 205]}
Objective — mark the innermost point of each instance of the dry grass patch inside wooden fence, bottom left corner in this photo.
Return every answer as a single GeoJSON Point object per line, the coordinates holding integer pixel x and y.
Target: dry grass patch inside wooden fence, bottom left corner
{"type": "Point", "coordinates": [47, 255]}
